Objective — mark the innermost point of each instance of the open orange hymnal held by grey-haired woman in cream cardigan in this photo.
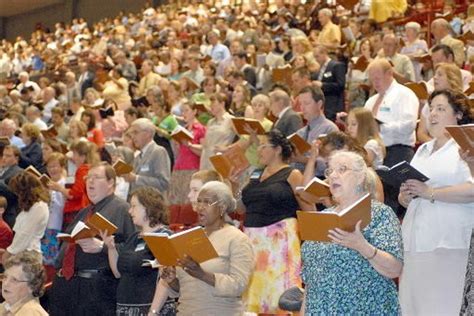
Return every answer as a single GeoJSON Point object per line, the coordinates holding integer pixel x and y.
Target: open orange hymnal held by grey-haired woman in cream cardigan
{"type": "Point", "coordinates": [192, 242]}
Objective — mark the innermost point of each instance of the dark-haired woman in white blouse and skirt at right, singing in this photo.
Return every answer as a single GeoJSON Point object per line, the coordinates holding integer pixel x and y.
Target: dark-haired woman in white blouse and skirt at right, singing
{"type": "Point", "coordinates": [440, 215]}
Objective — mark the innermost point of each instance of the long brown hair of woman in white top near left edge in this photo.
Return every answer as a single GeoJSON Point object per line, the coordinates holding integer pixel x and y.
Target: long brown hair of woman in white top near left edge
{"type": "Point", "coordinates": [29, 190]}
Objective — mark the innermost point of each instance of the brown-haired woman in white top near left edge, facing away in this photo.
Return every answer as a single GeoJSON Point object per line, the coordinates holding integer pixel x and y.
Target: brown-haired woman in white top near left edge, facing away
{"type": "Point", "coordinates": [31, 222]}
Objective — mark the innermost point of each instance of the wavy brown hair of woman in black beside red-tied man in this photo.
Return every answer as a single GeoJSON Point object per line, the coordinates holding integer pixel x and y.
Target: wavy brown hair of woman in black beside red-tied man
{"type": "Point", "coordinates": [156, 208]}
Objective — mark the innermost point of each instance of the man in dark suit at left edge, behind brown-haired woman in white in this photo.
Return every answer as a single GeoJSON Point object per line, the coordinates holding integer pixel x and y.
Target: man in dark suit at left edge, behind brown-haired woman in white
{"type": "Point", "coordinates": [9, 169]}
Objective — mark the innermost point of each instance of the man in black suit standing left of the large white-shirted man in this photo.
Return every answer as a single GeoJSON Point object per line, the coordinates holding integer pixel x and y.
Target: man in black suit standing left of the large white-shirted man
{"type": "Point", "coordinates": [331, 78]}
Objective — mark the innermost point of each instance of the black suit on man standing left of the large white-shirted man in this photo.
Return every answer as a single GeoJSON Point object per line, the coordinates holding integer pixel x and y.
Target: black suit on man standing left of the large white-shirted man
{"type": "Point", "coordinates": [334, 82]}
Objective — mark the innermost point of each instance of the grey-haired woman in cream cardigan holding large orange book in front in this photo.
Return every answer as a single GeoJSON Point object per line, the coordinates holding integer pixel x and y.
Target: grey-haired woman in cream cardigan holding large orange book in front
{"type": "Point", "coordinates": [213, 287]}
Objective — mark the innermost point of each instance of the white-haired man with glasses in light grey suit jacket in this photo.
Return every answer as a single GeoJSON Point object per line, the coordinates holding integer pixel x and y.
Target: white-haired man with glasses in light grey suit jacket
{"type": "Point", "coordinates": [152, 166]}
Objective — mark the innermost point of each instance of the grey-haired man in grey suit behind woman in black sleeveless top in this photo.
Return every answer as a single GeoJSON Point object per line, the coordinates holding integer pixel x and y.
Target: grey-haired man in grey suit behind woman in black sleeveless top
{"type": "Point", "coordinates": [288, 121]}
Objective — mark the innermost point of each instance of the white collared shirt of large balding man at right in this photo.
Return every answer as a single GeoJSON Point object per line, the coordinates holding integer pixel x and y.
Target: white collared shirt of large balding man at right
{"type": "Point", "coordinates": [399, 113]}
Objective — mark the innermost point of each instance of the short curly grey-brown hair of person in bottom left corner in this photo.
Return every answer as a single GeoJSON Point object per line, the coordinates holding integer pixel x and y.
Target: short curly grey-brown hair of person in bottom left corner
{"type": "Point", "coordinates": [32, 268]}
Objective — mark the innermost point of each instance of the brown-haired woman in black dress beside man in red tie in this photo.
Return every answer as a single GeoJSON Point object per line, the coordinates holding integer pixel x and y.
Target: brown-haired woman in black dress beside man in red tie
{"type": "Point", "coordinates": [137, 282]}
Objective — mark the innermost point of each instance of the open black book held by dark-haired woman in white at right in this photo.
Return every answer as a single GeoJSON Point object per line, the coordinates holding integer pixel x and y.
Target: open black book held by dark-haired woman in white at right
{"type": "Point", "coordinates": [400, 173]}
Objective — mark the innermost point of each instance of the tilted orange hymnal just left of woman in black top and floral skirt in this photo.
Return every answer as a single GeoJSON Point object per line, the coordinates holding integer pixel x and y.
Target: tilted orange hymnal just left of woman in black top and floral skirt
{"type": "Point", "coordinates": [232, 159]}
